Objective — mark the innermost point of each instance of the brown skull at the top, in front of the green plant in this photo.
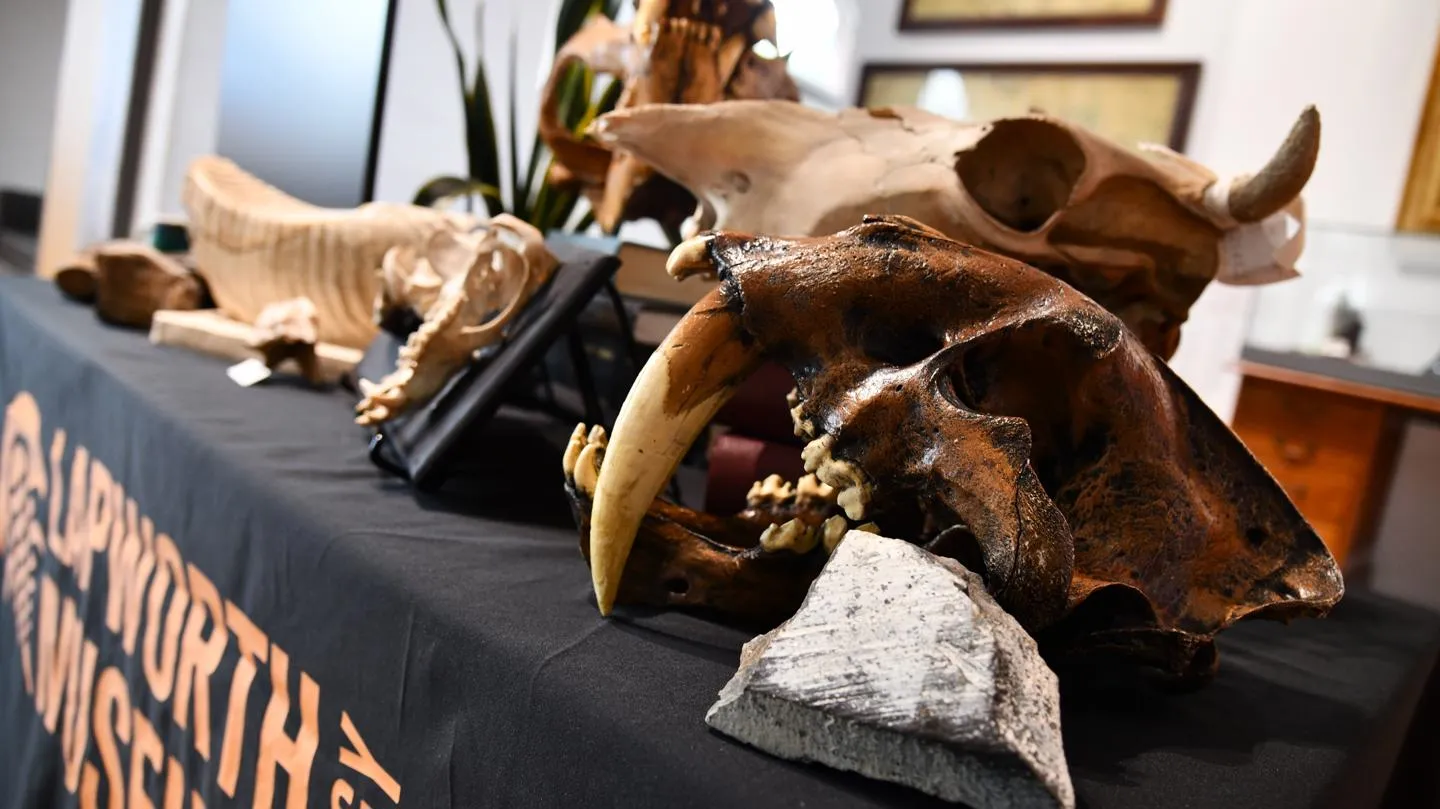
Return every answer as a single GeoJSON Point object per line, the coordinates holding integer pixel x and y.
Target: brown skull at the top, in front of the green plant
{"type": "Point", "coordinates": [675, 53]}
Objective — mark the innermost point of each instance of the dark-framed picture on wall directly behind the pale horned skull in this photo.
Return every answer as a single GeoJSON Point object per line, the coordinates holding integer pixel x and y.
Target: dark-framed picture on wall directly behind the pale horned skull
{"type": "Point", "coordinates": [1130, 103]}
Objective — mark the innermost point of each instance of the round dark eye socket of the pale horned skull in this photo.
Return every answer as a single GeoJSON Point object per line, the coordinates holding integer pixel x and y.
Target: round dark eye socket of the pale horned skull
{"type": "Point", "coordinates": [1022, 172]}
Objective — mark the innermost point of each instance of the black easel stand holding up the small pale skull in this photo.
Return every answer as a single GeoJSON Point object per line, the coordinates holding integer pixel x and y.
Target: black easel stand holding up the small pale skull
{"type": "Point", "coordinates": [417, 444]}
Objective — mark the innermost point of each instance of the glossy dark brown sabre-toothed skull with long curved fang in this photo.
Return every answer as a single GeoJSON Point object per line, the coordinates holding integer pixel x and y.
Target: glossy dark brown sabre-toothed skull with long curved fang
{"type": "Point", "coordinates": [966, 402]}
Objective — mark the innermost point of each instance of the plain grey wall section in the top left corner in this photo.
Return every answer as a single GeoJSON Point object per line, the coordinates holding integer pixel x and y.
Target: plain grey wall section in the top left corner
{"type": "Point", "coordinates": [31, 37]}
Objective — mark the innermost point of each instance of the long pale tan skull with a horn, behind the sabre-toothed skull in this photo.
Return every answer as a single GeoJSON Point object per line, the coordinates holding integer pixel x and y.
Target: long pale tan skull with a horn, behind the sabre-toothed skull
{"type": "Point", "coordinates": [1140, 232]}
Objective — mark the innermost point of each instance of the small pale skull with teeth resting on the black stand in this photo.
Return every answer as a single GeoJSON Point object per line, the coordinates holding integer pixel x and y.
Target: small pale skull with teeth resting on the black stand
{"type": "Point", "coordinates": [467, 289]}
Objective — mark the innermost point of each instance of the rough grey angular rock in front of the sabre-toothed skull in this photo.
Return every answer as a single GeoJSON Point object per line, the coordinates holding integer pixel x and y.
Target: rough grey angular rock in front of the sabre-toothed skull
{"type": "Point", "coordinates": [901, 667]}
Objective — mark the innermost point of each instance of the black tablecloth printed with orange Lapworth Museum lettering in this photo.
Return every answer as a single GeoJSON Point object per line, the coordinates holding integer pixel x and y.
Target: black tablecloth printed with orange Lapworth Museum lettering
{"type": "Point", "coordinates": [447, 647]}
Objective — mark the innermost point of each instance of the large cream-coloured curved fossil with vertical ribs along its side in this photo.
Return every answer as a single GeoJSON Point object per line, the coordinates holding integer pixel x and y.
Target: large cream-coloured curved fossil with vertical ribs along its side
{"type": "Point", "coordinates": [257, 245]}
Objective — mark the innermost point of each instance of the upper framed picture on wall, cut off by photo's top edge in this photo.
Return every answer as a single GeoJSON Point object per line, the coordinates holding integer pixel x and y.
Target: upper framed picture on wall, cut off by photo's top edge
{"type": "Point", "coordinates": [925, 15]}
